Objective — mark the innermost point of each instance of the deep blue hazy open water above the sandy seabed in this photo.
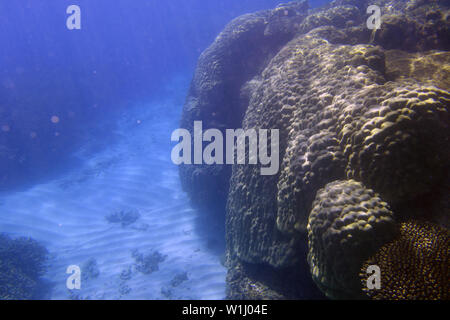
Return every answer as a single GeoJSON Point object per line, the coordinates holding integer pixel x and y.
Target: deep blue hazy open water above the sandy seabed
{"type": "Point", "coordinates": [125, 53]}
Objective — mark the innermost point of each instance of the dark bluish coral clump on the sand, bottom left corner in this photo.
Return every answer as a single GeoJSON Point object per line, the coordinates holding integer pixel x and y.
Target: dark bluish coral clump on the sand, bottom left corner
{"type": "Point", "coordinates": [22, 264]}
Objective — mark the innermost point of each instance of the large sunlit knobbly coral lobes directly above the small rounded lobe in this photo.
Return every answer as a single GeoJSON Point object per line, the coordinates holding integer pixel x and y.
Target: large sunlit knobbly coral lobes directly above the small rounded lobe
{"type": "Point", "coordinates": [338, 118]}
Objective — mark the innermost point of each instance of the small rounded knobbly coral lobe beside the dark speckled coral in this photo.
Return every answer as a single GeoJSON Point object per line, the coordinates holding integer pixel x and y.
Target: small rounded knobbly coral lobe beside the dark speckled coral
{"type": "Point", "coordinates": [347, 223]}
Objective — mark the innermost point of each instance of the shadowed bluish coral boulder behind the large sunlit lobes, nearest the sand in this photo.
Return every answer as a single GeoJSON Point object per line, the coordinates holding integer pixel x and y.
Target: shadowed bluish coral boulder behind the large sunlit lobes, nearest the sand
{"type": "Point", "coordinates": [221, 87]}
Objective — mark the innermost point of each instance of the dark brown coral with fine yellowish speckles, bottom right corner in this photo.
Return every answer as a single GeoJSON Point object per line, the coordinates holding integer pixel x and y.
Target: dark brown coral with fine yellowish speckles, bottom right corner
{"type": "Point", "coordinates": [414, 266]}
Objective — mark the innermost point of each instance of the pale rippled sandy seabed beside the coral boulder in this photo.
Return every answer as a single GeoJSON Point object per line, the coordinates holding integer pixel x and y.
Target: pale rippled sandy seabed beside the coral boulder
{"type": "Point", "coordinates": [135, 174]}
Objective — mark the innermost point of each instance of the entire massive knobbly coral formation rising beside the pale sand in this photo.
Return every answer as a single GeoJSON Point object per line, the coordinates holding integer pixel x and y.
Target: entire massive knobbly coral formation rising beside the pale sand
{"type": "Point", "coordinates": [361, 114]}
